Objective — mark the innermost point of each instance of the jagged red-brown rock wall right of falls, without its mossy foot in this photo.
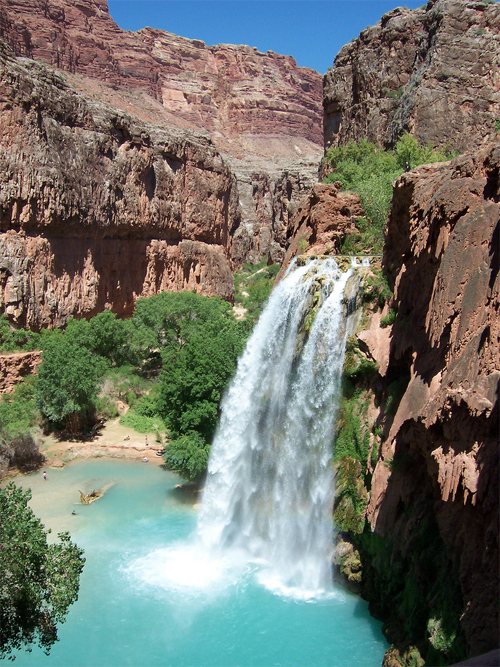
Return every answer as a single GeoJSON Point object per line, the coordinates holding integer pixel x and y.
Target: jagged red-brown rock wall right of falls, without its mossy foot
{"type": "Point", "coordinates": [442, 251]}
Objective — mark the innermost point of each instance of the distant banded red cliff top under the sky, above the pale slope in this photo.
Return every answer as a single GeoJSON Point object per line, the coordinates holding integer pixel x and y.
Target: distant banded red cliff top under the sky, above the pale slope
{"type": "Point", "coordinates": [230, 89]}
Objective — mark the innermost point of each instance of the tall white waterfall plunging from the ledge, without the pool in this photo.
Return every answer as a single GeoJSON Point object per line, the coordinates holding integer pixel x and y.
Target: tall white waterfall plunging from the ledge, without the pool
{"type": "Point", "coordinates": [269, 490]}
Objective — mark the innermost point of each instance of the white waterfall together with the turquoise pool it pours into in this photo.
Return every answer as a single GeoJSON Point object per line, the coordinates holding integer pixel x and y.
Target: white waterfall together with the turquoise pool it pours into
{"type": "Point", "coordinates": [246, 580]}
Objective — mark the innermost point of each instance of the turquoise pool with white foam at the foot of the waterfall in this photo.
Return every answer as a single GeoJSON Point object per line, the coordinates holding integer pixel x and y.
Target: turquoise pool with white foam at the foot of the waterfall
{"type": "Point", "coordinates": [149, 596]}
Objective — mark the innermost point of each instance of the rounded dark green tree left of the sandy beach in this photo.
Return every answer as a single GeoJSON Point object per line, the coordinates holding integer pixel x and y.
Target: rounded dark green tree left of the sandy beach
{"type": "Point", "coordinates": [68, 379]}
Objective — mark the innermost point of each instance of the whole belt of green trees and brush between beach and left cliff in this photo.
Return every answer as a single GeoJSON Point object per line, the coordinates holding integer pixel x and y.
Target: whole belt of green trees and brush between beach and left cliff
{"type": "Point", "coordinates": [169, 363]}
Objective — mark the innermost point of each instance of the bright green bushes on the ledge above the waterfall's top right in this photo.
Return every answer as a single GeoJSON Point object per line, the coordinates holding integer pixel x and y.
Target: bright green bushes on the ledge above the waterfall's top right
{"type": "Point", "coordinates": [369, 171]}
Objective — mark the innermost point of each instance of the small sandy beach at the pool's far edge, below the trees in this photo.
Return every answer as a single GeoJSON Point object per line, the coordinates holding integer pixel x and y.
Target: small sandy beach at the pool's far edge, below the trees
{"type": "Point", "coordinates": [112, 441]}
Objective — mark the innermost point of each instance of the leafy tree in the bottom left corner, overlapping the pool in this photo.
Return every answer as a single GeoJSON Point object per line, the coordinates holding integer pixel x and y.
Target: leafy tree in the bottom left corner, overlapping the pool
{"type": "Point", "coordinates": [38, 581]}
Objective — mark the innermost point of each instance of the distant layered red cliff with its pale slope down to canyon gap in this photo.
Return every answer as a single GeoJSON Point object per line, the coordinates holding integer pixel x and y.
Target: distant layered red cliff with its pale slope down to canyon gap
{"type": "Point", "coordinates": [263, 113]}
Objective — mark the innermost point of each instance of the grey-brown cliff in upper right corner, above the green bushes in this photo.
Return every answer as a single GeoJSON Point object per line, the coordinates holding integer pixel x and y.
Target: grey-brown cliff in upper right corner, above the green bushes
{"type": "Point", "coordinates": [433, 72]}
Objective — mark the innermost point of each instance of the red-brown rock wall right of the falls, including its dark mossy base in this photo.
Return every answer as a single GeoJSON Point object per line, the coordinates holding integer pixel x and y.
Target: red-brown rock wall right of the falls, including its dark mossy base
{"type": "Point", "coordinates": [434, 482]}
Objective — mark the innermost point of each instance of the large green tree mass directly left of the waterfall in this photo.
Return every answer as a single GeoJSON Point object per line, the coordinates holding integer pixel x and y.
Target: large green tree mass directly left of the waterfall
{"type": "Point", "coordinates": [200, 344]}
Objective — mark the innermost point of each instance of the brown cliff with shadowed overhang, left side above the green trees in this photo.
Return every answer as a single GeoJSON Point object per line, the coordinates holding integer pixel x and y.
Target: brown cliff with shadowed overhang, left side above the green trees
{"type": "Point", "coordinates": [98, 208]}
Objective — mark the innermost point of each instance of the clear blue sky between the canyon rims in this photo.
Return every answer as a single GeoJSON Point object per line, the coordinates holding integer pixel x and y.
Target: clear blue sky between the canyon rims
{"type": "Point", "coordinates": [312, 31]}
